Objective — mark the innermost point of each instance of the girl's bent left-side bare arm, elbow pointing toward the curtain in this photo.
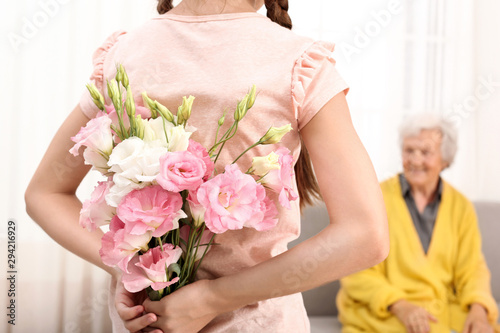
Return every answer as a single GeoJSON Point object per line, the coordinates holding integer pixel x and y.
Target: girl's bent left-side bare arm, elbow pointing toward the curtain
{"type": "Point", "coordinates": [50, 197]}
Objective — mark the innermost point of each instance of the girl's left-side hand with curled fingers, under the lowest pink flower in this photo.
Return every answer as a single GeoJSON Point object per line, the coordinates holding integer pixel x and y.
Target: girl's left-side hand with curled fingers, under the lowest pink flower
{"type": "Point", "coordinates": [130, 310]}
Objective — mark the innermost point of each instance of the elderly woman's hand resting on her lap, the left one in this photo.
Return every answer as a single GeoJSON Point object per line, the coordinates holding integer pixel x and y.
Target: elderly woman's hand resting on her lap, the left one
{"type": "Point", "coordinates": [414, 318]}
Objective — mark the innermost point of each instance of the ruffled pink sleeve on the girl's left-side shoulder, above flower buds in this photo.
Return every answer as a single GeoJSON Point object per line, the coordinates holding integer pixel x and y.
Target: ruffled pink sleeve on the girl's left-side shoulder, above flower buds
{"type": "Point", "coordinates": [97, 77]}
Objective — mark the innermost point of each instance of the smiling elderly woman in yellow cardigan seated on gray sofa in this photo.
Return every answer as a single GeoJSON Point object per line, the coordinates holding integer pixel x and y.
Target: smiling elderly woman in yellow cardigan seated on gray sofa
{"type": "Point", "coordinates": [435, 278]}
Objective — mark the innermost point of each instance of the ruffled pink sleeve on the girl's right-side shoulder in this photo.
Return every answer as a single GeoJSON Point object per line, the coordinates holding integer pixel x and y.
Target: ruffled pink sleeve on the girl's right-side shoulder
{"type": "Point", "coordinates": [315, 81]}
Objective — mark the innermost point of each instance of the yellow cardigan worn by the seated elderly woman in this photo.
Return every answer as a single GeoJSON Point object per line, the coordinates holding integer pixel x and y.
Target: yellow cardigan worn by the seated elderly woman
{"type": "Point", "coordinates": [445, 281]}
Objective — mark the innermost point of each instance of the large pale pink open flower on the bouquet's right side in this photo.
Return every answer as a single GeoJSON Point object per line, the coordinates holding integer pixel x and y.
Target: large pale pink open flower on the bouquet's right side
{"type": "Point", "coordinates": [234, 200]}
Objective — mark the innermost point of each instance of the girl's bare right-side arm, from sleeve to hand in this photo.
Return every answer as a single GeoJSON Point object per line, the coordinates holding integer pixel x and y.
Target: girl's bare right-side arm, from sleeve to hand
{"type": "Point", "coordinates": [357, 237]}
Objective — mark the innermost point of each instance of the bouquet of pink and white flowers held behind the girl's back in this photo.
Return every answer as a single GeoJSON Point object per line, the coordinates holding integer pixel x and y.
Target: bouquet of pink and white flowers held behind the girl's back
{"type": "Point", "coordinates": [163, 199]}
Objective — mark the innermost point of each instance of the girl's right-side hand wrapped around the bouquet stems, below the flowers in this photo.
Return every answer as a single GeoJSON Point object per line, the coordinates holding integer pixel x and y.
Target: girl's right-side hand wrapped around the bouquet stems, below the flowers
{"type": "Point", "coordinates": [187, 310]}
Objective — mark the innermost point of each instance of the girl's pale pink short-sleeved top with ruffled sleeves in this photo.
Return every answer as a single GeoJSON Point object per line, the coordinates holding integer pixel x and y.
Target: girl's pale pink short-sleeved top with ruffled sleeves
{"type": "Point", "coordinates": [217, 59]}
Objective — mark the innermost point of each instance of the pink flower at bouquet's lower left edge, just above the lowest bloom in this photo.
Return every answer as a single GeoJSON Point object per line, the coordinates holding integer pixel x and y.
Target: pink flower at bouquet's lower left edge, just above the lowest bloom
{"type": "Point", "coordinates": [118, 246]}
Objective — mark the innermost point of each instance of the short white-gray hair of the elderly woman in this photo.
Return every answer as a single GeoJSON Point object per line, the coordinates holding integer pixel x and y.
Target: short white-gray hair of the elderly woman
{"type": "Point", "coordinates": [414, 124]}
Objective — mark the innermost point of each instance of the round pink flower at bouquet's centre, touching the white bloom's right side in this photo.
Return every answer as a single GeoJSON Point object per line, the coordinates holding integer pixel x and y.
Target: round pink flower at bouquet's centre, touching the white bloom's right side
{"type": "Point", "coordinates": [181, 170]}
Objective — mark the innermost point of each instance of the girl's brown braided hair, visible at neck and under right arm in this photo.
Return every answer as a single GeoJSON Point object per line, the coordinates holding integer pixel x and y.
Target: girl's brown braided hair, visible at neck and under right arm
{"type": "Point", "coordinates": [277, 11]}
